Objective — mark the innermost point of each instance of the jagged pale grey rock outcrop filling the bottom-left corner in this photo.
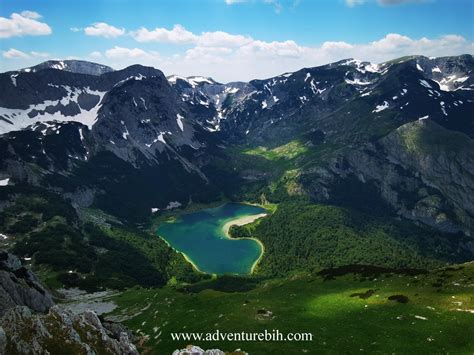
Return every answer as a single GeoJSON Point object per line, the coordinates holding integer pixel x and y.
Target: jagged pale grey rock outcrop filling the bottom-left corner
{"type": "Point", "coordinates": [61, 331]}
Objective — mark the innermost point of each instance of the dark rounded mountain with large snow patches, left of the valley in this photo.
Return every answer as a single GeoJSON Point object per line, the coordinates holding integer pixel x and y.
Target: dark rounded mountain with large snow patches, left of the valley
{"type": "Point", "coordinates": [96, 135]}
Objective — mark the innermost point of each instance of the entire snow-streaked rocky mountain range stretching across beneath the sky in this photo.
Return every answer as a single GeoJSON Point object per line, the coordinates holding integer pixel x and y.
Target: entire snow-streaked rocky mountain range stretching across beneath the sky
{"type": "Point", "coordinates": [135, 132]}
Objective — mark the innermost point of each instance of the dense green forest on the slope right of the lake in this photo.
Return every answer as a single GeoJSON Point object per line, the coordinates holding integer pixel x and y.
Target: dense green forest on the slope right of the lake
{"type": "Point", "coordinates": [303, 236]}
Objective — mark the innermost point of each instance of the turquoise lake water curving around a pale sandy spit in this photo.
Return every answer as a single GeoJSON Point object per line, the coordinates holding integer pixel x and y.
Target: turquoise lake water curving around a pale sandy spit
{"type": "Point", "coordinates": [201, 237]}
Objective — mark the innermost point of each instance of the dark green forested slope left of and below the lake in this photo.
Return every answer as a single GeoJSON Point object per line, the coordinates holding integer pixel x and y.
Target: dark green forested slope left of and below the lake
{"type": "Point", "coordinates": [44, 227]}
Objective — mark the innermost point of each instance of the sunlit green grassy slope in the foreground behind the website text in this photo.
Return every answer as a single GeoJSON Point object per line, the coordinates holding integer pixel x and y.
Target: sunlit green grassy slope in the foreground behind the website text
{"type": "Point", "coordinates": [306, 303]}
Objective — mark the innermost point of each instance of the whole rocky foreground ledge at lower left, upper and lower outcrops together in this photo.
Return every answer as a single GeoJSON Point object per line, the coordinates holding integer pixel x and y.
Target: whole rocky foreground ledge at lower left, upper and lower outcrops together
{"type": "Point", "coordinates": [30, 323]}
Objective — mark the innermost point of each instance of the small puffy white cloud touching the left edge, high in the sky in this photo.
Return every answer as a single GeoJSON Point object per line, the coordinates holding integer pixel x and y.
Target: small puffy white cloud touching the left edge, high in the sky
{"type": "Point", "coordinates": [24, 24]}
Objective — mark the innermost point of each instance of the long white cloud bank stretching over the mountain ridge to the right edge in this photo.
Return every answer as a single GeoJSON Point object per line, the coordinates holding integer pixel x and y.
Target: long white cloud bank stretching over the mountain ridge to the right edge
{"type": "Point", "coordinates": [230, 57]}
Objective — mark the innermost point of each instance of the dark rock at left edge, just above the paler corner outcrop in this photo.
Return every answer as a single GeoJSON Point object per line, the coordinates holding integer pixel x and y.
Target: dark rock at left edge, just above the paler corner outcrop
{"type": "Point", "coordinates": [20, 287]}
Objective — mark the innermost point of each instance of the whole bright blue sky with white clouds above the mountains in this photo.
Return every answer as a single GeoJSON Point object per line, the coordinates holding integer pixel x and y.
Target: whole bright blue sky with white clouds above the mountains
{"type": "Point", "coordinates": [256, 38]}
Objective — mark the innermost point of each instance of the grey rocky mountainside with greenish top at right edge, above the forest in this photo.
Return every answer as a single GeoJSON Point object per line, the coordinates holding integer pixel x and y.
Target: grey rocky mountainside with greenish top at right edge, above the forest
{"type": "Point", "coordinates": [421, 170]}
